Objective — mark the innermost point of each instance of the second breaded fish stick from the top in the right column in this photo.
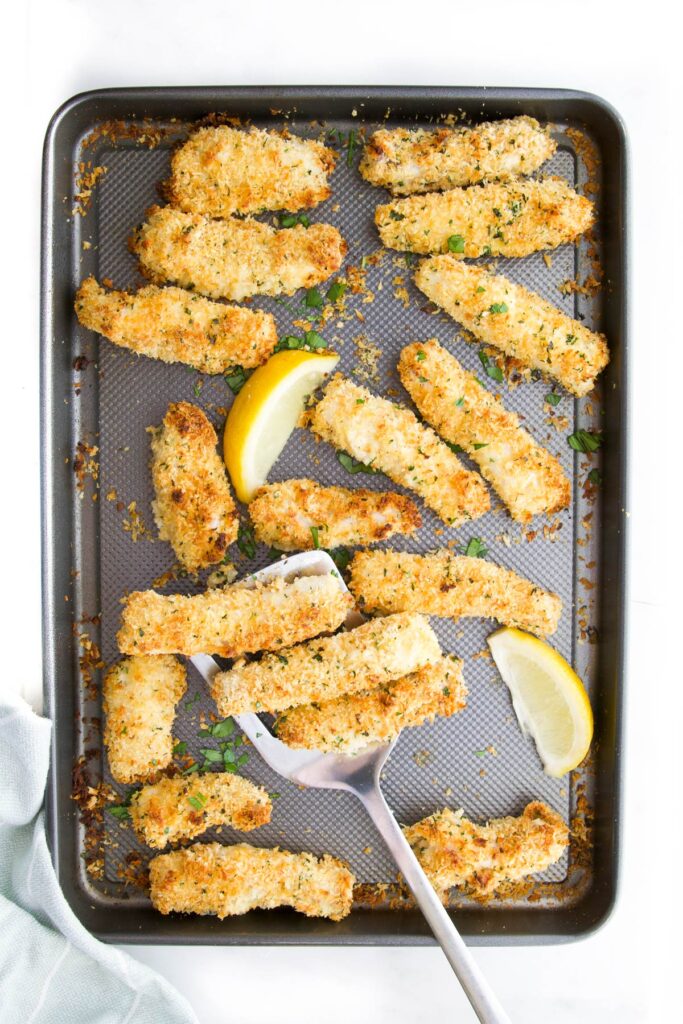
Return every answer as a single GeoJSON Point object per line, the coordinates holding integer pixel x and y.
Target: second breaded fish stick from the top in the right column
{"type": "Point", "coordinates": [513, 219]}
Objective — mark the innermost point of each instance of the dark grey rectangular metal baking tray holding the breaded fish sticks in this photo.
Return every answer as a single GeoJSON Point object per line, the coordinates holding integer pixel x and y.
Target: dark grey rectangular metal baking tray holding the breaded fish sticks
{"type": "Point", "coordinates": [96, 547]}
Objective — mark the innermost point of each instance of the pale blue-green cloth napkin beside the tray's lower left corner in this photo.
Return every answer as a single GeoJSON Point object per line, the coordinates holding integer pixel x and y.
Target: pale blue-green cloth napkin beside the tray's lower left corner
{"type": "Point", "coordinates": [53, 971]}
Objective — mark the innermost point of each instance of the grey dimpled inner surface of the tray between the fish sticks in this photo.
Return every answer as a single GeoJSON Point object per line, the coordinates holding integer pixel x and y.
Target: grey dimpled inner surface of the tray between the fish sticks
{"type": "Point", "coordinates": [478, 760]}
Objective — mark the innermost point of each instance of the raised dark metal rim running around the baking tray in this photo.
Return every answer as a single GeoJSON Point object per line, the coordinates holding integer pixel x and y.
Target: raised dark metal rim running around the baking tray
{"type": "Point", "coordinates": [487, 926]}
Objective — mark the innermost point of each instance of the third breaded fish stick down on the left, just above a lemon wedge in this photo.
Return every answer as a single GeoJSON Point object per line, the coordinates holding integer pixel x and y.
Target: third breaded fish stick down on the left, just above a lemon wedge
{"type": "Point", "coordinates": [177, 326]}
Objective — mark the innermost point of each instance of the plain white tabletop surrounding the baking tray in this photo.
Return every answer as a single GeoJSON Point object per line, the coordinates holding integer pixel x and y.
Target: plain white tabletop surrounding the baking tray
{"type": "Point", "coordinates": [631, 56]}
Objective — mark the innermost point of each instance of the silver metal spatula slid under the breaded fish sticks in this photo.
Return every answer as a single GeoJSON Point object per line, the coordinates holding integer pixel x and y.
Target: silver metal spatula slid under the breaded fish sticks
{"type": "Point", "coordinates": [361, 776]}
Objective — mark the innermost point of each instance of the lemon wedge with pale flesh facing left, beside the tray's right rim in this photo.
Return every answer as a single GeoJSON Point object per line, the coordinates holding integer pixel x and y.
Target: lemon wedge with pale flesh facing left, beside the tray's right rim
{"type": "Point", "coordinates": [548, 697]}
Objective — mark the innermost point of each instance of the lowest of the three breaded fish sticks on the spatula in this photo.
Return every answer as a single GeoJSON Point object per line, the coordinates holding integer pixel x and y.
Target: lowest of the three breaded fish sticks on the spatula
{"type": "Point", "coordinates": [354, 721]}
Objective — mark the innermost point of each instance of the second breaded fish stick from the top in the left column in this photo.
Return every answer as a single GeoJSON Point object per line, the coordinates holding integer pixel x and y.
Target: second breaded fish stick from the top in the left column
{"type": "Point", "coordinates": [233, 260]}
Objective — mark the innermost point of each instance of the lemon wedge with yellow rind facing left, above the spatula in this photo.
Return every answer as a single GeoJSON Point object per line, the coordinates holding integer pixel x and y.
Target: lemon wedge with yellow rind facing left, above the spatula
{"type": "Point", "coordinates": [266, 413]}
